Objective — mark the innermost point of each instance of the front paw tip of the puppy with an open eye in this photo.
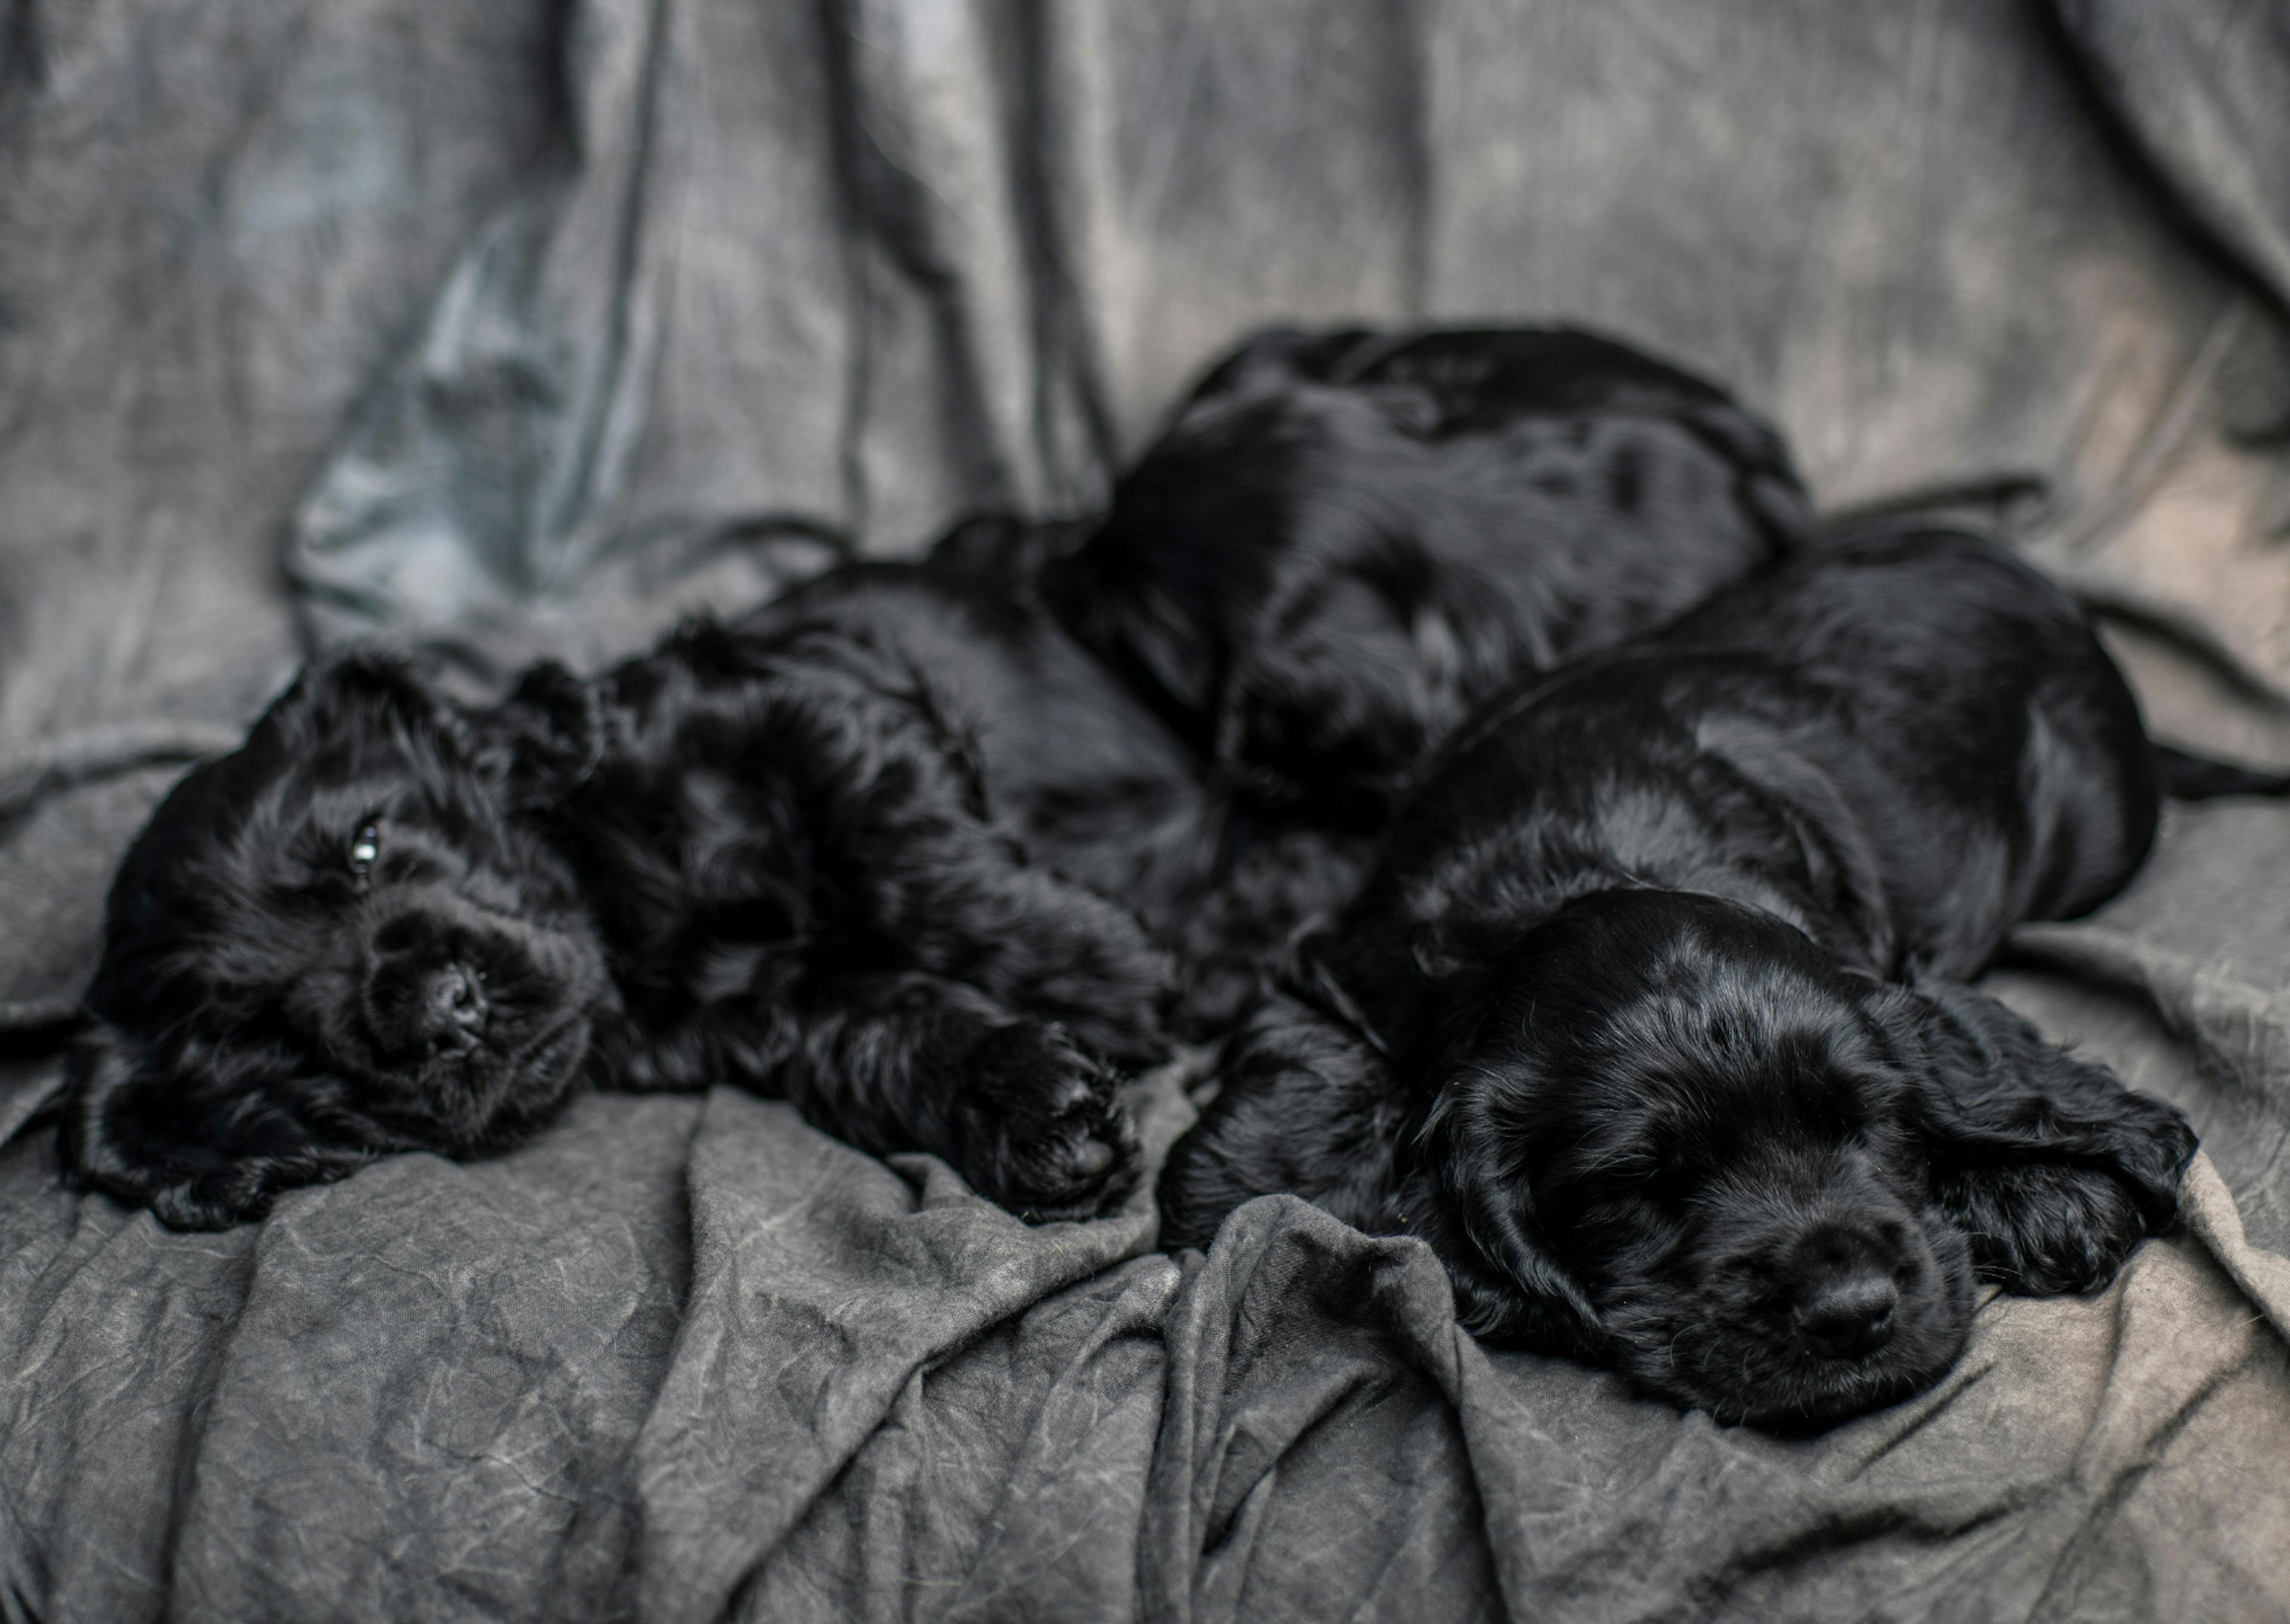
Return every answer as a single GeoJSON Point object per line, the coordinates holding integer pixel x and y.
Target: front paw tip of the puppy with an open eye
{"type": "Point", "coordinates": [1043, 1126]}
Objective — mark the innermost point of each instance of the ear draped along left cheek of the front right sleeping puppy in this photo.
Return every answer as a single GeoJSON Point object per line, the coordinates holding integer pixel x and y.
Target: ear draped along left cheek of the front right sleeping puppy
{"type": "Point", "coordinates": [1478, 1211]}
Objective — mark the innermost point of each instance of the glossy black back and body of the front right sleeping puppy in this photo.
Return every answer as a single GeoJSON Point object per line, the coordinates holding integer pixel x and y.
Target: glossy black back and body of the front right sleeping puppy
{"type": "Point", "coordinates": [1906, 743]}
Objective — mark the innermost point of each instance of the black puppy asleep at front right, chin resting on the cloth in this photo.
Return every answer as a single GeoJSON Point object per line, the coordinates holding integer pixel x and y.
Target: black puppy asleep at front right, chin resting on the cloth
{"type": "Point", "coordinates": [1652, 1023]}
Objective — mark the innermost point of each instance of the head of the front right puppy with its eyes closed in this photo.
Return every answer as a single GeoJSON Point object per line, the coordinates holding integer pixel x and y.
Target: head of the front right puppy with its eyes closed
{"type": "Point", "coordinates": [1673, 1137]}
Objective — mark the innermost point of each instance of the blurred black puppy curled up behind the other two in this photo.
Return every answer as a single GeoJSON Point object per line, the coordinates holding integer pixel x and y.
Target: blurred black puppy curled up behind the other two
{"type": "Point", "coordinates": [1345, 539]}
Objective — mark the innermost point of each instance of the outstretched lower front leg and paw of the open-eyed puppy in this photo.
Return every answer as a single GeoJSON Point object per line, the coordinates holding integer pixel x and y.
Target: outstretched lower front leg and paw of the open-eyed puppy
{"type": "Point", "coordinates": [1013, 1105]}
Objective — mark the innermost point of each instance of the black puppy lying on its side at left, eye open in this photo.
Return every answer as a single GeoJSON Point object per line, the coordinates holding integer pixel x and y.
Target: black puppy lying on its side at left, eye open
{"type": "Point", "coordinates": [787, 853]}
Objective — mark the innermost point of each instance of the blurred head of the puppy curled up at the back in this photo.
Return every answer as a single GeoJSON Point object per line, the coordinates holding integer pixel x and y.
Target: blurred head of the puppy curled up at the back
{"type": "Point", "coordinates": [1261, 583]}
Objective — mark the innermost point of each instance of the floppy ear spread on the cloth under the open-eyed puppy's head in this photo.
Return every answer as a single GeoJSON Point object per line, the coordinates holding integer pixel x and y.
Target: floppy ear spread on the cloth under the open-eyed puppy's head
{"type": "Point", "coordinates": [203, 1153]}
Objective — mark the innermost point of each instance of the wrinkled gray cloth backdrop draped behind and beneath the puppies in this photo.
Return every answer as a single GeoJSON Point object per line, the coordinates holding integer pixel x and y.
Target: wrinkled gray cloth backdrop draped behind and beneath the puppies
{"type": "Point", "coordinates": [521, 326]}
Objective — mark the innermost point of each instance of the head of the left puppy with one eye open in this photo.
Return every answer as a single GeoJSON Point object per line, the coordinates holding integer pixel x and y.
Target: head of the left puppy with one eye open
{"type": "Point", "coordinates": [329, 945]}
